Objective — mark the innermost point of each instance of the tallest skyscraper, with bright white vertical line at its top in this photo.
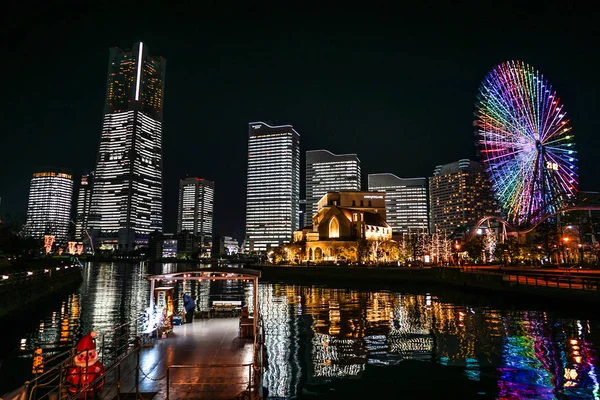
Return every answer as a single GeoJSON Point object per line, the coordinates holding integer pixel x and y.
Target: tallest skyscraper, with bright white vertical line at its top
{"type": "Point", "coordinates": [127, 196]}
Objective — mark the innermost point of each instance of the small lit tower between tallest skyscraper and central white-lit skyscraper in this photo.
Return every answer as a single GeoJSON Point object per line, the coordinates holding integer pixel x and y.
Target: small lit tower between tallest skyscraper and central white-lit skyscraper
{"type": "Point", "coordinates": [196, 197]}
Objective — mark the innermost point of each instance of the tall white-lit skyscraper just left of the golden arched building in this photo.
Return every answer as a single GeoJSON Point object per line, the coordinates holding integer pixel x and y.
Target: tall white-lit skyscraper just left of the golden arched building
{"type": "Point", "coordinates": [273, 185]}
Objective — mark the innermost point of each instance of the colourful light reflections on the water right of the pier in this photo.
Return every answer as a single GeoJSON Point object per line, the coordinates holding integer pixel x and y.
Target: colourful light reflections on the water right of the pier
{"type": "Point", "coordinates": [528, 354]}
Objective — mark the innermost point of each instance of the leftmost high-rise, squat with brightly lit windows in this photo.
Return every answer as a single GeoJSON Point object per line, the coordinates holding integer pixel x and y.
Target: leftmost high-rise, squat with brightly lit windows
{"type": "Point", "coordinates": [49, 206]}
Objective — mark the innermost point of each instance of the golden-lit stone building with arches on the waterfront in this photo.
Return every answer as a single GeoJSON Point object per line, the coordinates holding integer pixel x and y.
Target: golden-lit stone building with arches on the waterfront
{"type": "Point", "coordinates": [342, 220]}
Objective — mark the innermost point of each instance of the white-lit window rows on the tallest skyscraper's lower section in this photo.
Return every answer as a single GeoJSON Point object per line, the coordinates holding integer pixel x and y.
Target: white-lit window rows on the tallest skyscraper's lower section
{"type": "Point", "coordinates": [128, 191]}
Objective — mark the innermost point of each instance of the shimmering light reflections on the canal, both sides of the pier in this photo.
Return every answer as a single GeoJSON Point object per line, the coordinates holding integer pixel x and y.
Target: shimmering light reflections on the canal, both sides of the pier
{"type": "Point", "coordinates": [317, 335]}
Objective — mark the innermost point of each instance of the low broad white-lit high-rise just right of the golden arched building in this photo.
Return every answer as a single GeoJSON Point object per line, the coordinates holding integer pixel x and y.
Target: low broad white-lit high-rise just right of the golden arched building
{"type": "Point", "coordinates": [405, 202]}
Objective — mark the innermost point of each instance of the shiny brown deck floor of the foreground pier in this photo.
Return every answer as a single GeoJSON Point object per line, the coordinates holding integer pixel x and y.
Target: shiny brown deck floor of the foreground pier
{"type": "Point", "coordinates": [206, 343]}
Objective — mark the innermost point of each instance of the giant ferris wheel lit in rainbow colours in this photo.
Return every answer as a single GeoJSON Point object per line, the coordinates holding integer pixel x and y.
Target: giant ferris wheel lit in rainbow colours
{"type": "Point", "coordinates": [525, 143]}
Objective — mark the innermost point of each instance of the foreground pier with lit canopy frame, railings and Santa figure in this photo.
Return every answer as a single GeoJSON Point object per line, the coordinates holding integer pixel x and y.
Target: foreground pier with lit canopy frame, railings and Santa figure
{"type": "Point", "coordinates": [209, 358]}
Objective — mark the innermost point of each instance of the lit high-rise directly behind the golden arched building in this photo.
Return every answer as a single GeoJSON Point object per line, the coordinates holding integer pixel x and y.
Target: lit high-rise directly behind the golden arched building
{"type": "Point", "coordinates": [328, 172]}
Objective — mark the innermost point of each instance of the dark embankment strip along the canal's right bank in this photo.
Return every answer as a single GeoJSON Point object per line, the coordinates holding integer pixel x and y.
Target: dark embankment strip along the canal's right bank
{"type": "Point", "coordinates": [557, 284]}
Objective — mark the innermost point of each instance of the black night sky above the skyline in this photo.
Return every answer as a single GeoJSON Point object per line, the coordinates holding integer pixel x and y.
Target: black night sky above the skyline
{"type": "Point", "coordinates": [396, 86]}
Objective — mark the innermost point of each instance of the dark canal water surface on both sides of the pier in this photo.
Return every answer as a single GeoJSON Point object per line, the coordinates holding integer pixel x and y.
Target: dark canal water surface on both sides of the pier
{"type": "Point", "coordinates": [325, 341]}
